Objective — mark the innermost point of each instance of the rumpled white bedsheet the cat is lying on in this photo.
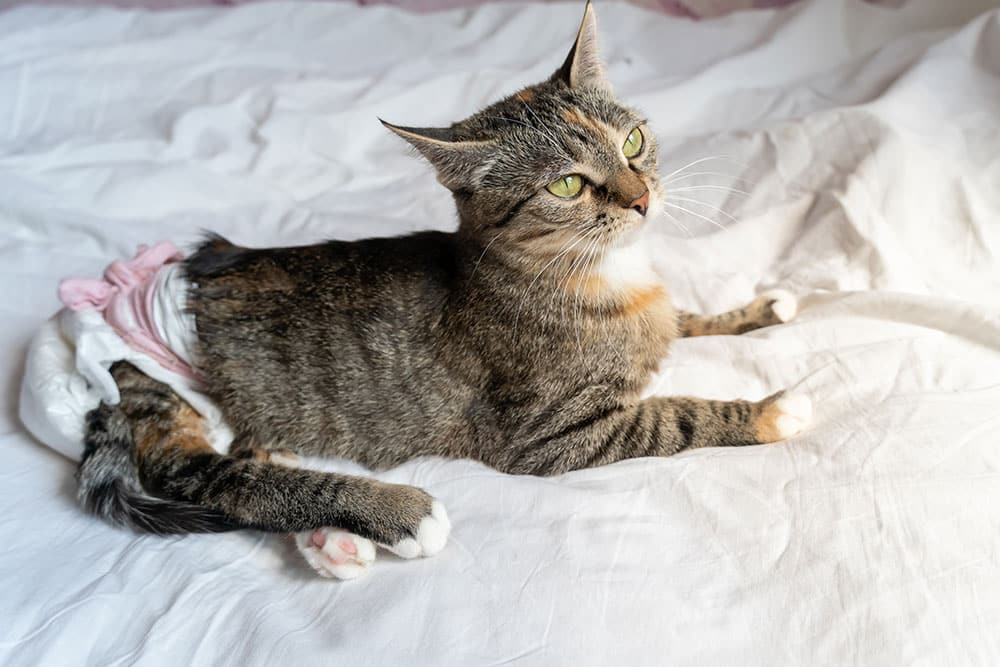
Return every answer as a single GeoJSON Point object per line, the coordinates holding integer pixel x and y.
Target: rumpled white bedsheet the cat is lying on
{"type": "Point", "coordinates": [869, 143]}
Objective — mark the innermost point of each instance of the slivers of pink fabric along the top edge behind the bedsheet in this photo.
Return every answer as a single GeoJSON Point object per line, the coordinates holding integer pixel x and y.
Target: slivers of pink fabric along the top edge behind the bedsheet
{"type": "Point", "coordinates": [694, 9]}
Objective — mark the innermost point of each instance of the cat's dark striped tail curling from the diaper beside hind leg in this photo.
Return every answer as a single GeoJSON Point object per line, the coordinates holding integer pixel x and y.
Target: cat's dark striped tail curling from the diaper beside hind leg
{"type": "Point", "coordinates": [108, 484]}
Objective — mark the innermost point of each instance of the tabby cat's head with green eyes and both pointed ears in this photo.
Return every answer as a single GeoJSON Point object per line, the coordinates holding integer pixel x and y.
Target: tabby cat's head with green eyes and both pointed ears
{"type": "Point", "coordinates": [559, 162]}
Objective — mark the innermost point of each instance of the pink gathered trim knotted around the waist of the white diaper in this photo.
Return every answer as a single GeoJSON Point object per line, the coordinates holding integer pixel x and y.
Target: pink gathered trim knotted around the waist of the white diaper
{"type": "Point", "coordinates": [125, 296]}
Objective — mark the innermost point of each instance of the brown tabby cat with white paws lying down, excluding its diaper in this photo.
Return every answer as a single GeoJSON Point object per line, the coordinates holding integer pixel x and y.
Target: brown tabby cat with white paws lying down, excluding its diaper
{"type": "Point", "coordinates": [521, 340]}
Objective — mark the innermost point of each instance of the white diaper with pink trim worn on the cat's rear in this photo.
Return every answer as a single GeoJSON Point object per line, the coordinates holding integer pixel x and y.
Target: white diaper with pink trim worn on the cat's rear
{"type": "Point", "coordinates": [136, 313]}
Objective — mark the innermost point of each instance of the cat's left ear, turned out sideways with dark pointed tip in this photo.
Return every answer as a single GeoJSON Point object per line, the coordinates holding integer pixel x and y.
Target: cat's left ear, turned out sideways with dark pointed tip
{"type": "Point", "coordinates": [460, 165]}
